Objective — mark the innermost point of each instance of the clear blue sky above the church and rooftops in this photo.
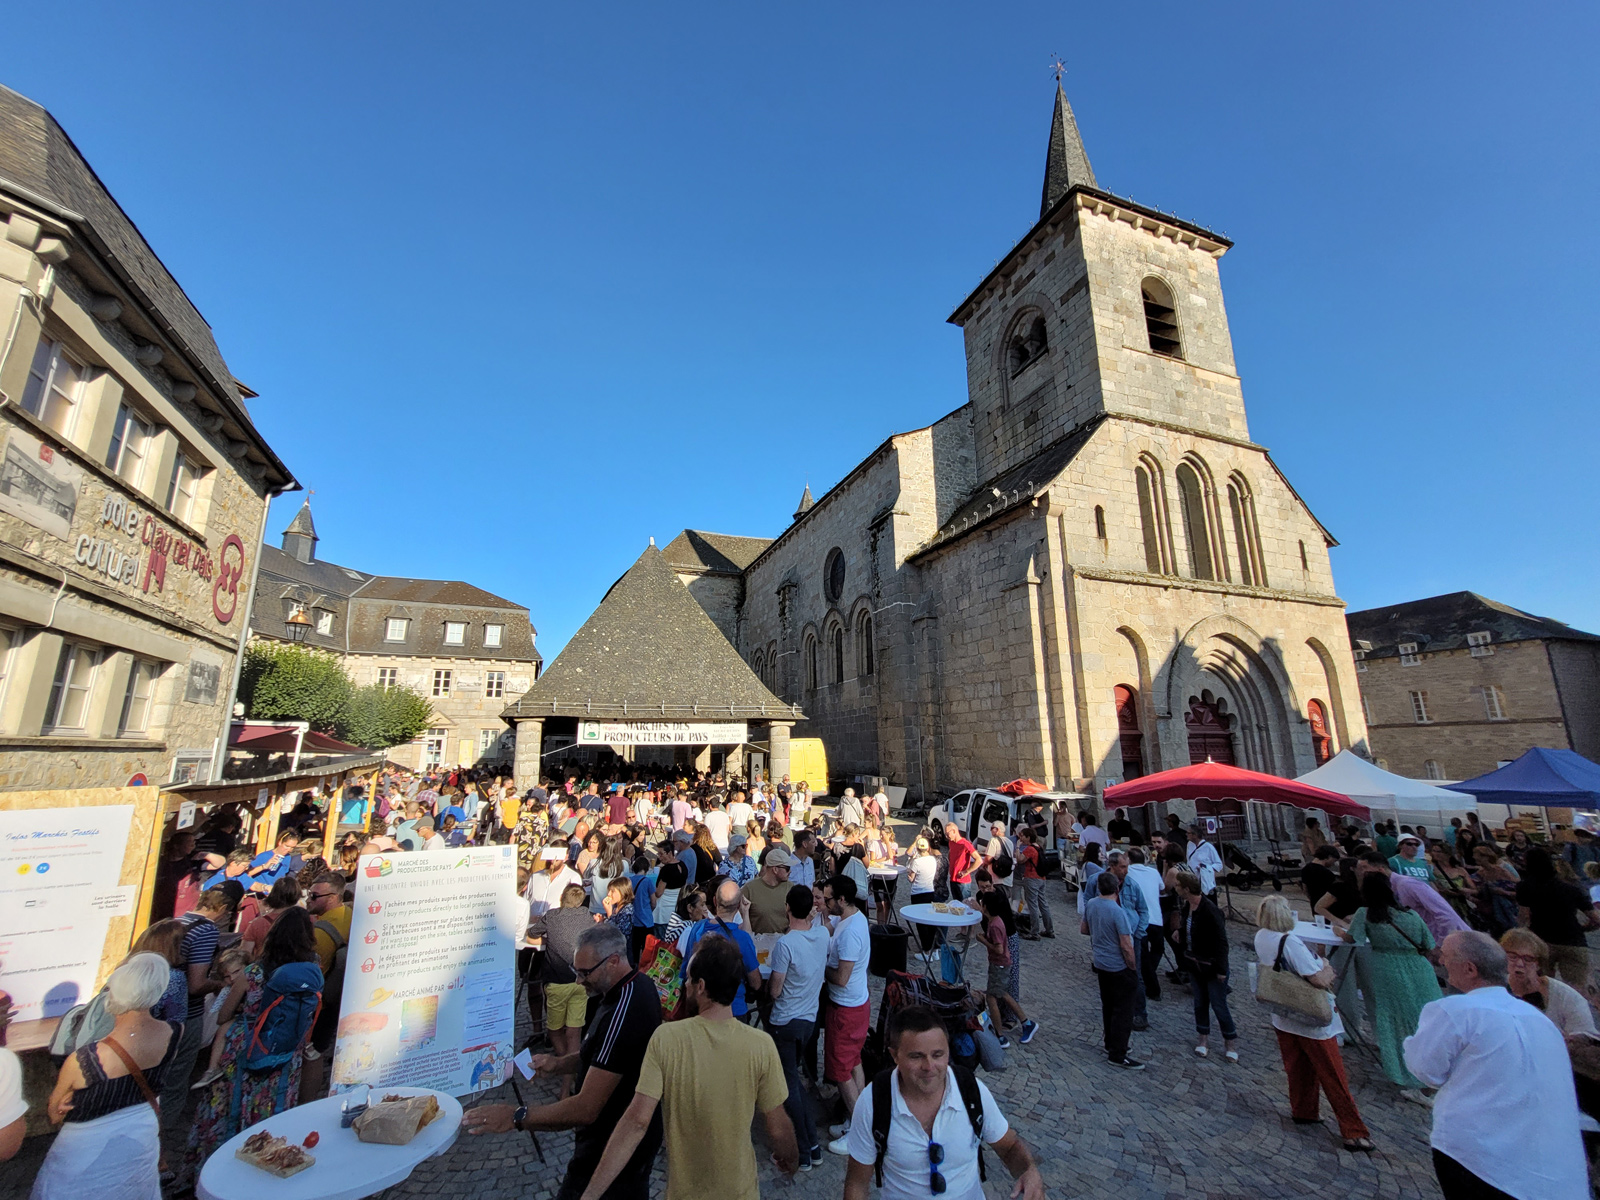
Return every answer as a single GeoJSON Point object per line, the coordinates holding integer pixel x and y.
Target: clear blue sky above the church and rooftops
{"type": "Point", "coordinates": [524, 286]}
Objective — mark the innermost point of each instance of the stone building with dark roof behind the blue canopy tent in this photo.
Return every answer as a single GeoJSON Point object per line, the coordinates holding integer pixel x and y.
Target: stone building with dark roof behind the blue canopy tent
{"type": "Point", "coordinates": [1457, 686]}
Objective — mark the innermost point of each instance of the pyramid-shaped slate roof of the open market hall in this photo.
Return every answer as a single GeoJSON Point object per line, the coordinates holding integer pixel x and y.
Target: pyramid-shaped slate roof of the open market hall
{"type": "Point", "coordinates": [650, 652]}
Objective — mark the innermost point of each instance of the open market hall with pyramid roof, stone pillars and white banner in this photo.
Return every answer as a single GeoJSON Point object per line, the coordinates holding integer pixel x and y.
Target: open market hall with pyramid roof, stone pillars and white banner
{"type": "Point", "coordinates": [652, 676]}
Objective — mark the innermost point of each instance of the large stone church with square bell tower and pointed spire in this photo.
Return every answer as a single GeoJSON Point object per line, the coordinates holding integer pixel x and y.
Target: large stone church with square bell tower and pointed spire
{"type": "Point", "coordinates": [1086, 574]}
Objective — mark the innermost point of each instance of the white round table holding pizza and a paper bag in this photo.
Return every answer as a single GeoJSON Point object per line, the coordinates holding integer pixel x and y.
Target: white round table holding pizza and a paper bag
{"type": "Point", "coordinates": [346, 1167]}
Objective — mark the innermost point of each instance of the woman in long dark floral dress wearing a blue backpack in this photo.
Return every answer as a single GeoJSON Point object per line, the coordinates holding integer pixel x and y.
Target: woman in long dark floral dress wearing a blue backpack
{"type": "Point", "coordinates": [239, 1098]}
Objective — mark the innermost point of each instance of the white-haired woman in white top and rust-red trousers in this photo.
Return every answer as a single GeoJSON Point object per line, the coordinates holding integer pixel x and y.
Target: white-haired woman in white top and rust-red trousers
{"type": "Point", "coordinates": [1311, 1050]}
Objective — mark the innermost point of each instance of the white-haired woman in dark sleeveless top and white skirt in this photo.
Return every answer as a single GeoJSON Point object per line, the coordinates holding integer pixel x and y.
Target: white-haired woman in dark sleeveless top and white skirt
{"type": "Point", "coordinates": [106, 1097]}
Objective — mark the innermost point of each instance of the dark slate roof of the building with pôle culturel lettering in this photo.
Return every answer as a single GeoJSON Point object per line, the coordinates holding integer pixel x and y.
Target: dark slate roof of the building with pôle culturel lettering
{"type": "Point", "coordinates": [42, 166]}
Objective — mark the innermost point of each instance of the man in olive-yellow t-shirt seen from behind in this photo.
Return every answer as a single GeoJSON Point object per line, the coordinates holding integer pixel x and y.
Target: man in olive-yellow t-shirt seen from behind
{"type": "Point", "coordinates": [708, 1074]}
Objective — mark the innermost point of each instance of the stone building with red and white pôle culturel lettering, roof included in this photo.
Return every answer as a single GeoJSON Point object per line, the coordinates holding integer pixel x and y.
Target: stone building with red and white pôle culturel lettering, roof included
{"type": "Point", "coordinates": [134, 490]}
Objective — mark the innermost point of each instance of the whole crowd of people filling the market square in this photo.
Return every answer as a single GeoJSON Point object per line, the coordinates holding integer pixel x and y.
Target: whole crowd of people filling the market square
{"type": "Point", "coordinates": [697, 953]}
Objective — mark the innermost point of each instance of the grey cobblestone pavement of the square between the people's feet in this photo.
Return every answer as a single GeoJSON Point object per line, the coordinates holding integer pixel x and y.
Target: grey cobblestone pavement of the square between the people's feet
{"type": "Point", "coordinates": [1182, 1129]}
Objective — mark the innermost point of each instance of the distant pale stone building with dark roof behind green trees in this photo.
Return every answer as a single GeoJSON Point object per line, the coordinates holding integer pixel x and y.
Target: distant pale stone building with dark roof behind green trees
{"type": "Point", "coordinates": [463, 649]}
